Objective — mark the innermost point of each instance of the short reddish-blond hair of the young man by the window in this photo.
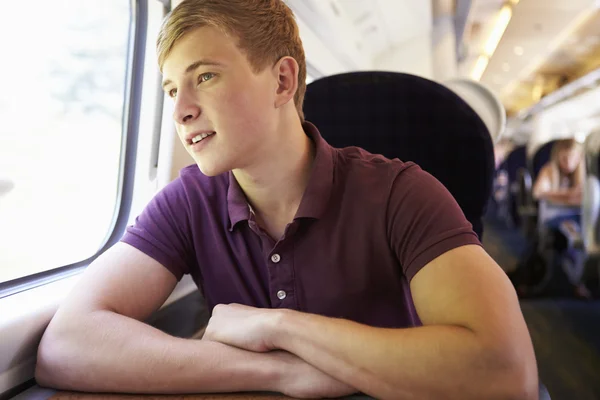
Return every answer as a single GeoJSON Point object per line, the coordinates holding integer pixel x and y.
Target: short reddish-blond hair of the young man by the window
{"type": "Point", "coordinates": [265, 29]}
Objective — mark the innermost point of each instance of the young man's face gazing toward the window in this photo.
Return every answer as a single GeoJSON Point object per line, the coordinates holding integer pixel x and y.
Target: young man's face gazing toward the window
{"type": "Point", "coordinates": [216, 93]}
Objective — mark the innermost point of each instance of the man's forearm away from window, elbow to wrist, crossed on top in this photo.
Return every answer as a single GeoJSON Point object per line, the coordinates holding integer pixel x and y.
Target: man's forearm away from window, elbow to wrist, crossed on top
{"type": "Point", "coordinates": [426, 362]}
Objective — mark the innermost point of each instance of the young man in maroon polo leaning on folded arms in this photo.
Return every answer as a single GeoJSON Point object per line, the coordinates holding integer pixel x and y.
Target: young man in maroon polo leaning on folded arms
{"type": "Point", "coordinates": [328, 271]}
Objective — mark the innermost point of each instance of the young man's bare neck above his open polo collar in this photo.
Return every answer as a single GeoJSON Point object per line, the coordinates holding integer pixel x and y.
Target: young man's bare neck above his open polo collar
{"type": "Point", "coordinates": [274, 187]}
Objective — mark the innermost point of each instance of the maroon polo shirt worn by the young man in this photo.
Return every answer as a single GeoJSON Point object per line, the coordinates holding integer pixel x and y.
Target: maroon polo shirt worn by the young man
{"type": "Point", "coordinates": [365, 226]}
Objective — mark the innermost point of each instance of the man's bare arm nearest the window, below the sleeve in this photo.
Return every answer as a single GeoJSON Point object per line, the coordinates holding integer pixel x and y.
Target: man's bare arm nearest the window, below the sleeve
{"type": "Point", "coordinates": [96, 342]}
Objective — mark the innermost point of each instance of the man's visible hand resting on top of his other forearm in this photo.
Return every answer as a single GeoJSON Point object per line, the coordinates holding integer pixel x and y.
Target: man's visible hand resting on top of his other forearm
{"type": "Point", "coordinates": [244, 327]}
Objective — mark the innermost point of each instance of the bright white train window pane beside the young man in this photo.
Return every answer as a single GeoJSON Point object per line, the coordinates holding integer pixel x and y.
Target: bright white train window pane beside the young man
{"type": "Point", "coordinates": [61, 116]}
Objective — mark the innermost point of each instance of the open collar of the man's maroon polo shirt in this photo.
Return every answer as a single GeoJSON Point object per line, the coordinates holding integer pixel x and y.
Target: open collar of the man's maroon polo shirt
{"type": "Point", "coordinates": [317, 192]}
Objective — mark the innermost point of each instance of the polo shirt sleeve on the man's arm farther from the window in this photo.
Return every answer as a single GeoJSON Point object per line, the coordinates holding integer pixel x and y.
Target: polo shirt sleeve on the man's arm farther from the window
{"type": "Point", "coordinates": [424, 220]}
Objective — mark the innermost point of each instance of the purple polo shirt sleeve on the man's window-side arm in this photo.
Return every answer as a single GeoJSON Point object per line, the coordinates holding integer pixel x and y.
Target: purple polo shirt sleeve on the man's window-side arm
{"type": "Point", "coordinates": [162, 231]}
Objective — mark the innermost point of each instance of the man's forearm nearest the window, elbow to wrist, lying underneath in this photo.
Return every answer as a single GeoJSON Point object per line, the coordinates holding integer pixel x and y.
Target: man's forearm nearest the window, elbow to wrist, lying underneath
{"type": "Point", "coordinates": [106, 352]}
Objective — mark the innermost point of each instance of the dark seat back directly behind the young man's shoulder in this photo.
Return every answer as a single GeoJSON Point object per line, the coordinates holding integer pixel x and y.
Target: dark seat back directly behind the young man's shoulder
{"type": "Point", "coordinates": [413, 119]}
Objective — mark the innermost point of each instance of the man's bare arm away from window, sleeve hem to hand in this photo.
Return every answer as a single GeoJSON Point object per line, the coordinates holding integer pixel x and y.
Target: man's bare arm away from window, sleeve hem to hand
{"type": "Point", "coordinates": [474, 343]}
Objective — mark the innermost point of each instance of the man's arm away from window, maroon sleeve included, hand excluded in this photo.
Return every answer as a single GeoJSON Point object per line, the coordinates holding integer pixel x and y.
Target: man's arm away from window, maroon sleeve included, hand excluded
{"type": "Point", "coordinates": [474, 342]}
